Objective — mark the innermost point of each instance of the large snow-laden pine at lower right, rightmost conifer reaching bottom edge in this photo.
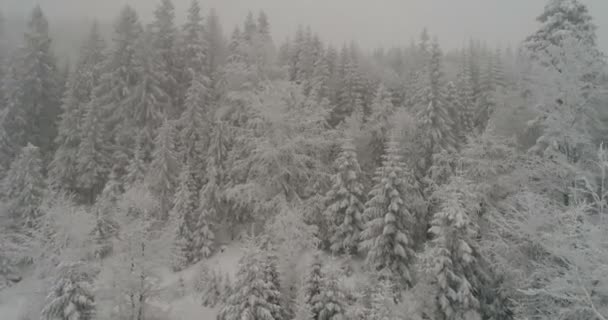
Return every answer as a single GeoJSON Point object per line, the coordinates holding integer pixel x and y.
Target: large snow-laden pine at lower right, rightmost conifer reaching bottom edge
{"type": "Point", "coordinates": [454, 252]}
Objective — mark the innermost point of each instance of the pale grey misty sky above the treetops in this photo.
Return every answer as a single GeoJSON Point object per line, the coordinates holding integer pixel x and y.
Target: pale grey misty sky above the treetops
{"type": "Point", "coordinates": [371, 23]}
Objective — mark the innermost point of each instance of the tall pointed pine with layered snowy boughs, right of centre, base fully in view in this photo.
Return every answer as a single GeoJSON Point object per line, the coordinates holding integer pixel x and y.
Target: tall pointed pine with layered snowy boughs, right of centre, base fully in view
{"type": "Point", "coordinates": [389, 221]}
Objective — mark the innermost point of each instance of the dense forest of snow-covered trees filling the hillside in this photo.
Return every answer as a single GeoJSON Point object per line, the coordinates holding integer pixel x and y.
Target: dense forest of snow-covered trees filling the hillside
{"type": "Point", "coordinates": [413, 167]}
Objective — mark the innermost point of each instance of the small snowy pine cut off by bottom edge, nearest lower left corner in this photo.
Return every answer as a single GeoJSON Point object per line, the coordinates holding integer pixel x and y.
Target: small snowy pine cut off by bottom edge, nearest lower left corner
{"type": "Point", "coordinates": [70, 297]}
